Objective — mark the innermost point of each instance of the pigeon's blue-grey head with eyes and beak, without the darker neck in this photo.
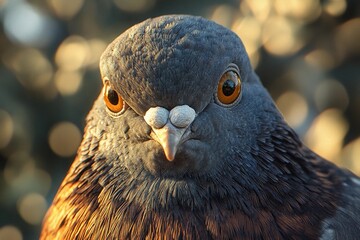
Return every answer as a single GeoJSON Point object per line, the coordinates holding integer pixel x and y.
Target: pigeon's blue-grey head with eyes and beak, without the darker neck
{"type": "Point", "coordinates": [179, 92]}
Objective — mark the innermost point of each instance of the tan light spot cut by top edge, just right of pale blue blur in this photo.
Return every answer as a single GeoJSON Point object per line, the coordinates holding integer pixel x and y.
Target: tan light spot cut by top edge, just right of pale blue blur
{"type": "Point", "coordinates": [65, 9]}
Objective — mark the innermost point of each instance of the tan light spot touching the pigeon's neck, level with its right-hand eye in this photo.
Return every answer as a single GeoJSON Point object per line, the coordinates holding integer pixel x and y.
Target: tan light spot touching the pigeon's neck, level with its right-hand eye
{"type": "Point", "coordinates": [294, 108]}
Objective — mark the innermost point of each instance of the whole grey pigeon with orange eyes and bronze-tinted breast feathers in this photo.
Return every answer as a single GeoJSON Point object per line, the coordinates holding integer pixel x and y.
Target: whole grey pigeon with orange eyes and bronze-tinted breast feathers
{"type": "Point", "coordinates": [184, 142]}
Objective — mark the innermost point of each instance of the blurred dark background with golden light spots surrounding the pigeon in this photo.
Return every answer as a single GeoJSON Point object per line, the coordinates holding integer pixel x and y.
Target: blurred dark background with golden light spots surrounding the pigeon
{"type": "Point", "coordinates": [307, 53]}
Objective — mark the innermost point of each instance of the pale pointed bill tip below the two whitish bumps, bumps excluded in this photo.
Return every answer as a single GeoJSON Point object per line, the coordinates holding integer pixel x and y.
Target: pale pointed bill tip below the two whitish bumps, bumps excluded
{"type": "Point", "coordinates": [169, 137]}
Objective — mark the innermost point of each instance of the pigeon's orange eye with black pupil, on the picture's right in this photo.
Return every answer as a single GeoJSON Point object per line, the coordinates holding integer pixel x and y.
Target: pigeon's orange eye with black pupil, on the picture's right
{"type": "Point", "coordinates": [229, 87]}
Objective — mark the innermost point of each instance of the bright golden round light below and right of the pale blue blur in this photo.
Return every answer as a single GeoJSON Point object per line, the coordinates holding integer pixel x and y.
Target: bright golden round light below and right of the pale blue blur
{"type": "Point", "coordinates": [72, 54]}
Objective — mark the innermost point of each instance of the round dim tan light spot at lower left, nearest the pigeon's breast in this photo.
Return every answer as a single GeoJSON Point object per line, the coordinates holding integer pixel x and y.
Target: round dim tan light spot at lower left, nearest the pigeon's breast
{"type": "Point", "coordinates": [32, 208]}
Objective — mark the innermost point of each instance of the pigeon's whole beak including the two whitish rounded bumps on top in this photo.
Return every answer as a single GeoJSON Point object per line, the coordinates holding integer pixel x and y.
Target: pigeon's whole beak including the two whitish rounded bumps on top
{"type": "Point", "coordinates": [169, 127]}
